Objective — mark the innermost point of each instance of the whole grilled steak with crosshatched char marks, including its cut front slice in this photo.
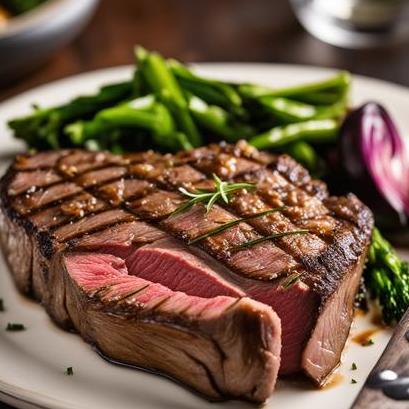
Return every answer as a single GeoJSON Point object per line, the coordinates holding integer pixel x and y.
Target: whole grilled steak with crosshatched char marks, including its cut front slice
{"type": "Point", "coordinates": [94, 238]}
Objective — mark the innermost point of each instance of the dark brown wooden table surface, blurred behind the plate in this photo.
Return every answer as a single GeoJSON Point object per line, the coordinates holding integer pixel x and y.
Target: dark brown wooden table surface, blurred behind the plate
{"type": "Point", "coordinates": [207, 30]}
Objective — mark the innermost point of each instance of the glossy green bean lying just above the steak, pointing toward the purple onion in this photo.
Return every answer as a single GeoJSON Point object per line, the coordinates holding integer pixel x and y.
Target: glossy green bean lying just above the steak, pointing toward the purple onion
{"type": "Point", "coordinates": [314, 131]}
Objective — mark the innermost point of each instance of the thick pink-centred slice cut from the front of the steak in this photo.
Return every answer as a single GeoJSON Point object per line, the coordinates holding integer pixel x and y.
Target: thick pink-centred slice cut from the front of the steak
{"type": "Point", "coordinates": [220, 346]}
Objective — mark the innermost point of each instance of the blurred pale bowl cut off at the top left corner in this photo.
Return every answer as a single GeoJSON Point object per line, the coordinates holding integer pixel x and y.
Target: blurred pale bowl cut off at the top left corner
{"type": "Point", "coordinates": [28, 39]}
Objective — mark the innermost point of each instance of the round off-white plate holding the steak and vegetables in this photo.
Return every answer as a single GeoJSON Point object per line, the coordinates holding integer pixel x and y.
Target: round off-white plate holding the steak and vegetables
{"type": "Point", "coordinates": [32, 362]}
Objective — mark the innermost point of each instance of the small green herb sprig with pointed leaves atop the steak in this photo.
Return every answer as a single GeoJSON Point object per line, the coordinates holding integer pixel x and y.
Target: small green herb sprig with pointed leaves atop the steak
{"type": "Point", "coordinates": [209, 197]}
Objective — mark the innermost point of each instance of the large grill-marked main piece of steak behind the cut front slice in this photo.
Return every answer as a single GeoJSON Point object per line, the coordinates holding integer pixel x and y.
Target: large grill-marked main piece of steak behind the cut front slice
{"type": "Point", "coordinates": [307, 279]}
